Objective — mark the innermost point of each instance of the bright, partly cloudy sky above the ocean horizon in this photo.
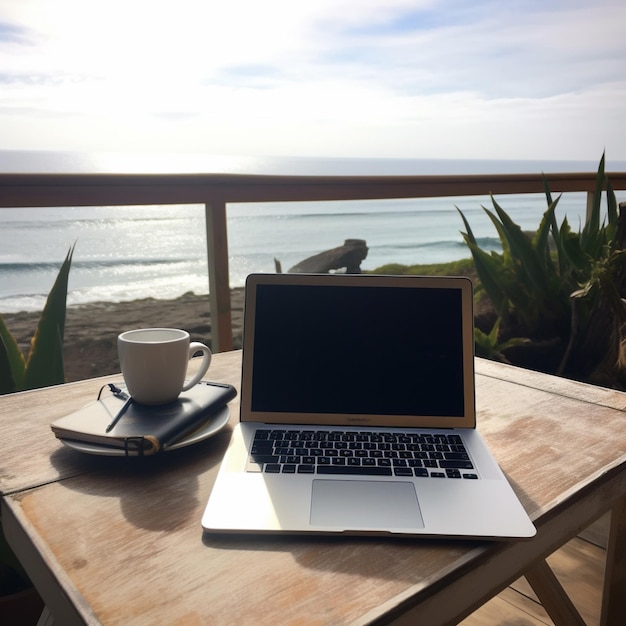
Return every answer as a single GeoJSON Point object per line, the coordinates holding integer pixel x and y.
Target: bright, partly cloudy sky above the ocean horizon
{"type": "Point", "coordinates": [519, 79]}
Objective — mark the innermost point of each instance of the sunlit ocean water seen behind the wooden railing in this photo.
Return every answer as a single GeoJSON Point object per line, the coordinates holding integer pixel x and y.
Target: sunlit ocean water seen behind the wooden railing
{"type": "Point", "coordinates": [127, 253]}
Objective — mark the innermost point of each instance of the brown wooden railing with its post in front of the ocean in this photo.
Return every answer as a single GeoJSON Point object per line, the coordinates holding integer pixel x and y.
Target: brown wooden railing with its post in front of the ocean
{"type": "Point", "coordinates": [215, 191]}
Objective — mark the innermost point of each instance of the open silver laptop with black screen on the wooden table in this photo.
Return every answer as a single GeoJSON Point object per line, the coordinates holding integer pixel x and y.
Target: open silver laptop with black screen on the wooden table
{"type": "Point", "coordinates": [358, 414]}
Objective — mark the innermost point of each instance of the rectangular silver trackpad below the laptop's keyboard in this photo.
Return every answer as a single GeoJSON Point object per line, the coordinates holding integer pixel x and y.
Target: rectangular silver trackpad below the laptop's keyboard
{"type": "Point", "coordinates": [353, 504]}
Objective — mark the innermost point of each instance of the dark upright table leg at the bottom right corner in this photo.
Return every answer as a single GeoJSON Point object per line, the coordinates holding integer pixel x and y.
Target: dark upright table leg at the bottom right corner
{"type": "Point", "coordinates": [613, 598]}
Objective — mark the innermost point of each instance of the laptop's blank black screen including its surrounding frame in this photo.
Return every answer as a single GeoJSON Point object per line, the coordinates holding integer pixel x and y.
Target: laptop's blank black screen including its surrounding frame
{"type": "Point", "coordinates": [358, 349]}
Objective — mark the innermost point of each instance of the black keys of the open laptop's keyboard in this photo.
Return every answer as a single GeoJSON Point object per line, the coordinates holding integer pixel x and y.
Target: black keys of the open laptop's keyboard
{"type": "Point", "coordinates": [366, 453]}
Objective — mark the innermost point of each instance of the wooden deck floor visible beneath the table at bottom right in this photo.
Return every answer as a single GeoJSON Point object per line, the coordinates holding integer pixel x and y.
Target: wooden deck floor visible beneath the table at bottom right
{"type": "Point", "coordinates": [579, 566]}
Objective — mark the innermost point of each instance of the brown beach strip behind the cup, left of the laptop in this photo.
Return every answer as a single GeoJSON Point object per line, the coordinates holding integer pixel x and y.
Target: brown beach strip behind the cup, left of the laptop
{"type": "Point", "coordinates": [91, 330]}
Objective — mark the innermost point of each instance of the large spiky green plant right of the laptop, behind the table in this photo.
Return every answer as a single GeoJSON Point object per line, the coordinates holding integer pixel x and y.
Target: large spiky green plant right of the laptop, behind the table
{"type": "Point", "coordinates": [551, 284]}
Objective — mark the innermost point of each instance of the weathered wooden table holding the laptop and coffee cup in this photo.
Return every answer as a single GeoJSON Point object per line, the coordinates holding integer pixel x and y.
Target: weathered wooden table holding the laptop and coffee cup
{"type": "Point", "coordinates": [119, 541]}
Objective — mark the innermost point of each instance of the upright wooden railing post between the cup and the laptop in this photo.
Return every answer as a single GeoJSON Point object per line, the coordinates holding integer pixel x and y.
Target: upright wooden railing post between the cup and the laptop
{"type": "Point", "coordinates": [219, 281]}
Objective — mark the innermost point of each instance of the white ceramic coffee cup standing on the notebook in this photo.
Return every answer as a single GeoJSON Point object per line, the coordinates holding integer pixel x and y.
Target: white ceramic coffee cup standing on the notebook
{"type": "Point", "coordinates": [154, 363]}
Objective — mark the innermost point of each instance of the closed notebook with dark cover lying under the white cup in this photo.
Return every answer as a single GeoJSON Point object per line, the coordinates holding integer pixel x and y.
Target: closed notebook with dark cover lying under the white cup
{"type": "Point", "coordinates": [142, 429]}
